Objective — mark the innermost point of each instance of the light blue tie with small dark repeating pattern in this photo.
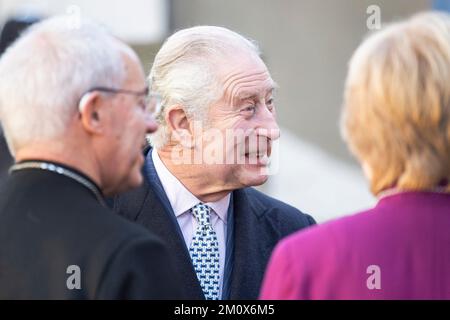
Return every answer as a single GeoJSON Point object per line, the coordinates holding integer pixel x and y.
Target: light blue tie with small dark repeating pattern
{"type": "Point", "coordinates": [204, 252]}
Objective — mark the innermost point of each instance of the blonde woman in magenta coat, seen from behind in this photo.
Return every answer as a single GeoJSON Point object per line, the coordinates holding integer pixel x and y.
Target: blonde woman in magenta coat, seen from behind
{"type": "Point", "coordinates": [396, 120]}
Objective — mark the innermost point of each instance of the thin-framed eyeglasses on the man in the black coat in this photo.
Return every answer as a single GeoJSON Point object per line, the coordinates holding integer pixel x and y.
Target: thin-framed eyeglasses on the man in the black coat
{"type": "Point", "coordinates": [151, 104]}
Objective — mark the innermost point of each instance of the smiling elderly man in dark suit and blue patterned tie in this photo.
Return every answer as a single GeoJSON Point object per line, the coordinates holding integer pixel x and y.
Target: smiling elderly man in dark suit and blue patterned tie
{"type": "Point", "coordinates": [217, 125]}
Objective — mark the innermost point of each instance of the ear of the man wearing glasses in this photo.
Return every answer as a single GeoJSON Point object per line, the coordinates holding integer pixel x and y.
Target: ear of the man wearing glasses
{"type": "Point", "coordinates": [91, 112]}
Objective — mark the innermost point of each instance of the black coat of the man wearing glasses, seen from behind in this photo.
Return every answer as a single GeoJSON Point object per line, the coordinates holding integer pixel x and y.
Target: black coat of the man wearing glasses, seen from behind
{"type": "Point", "coordinates": [49, 222]}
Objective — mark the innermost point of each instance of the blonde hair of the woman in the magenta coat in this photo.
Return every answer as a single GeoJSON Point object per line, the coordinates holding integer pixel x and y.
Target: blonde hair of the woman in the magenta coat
{"type": "Point", "coordinates": [396, 116]}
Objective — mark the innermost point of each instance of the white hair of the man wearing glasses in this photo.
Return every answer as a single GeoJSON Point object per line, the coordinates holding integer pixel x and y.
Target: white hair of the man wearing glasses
{"type": "Point", "coordinates": [47, 70]}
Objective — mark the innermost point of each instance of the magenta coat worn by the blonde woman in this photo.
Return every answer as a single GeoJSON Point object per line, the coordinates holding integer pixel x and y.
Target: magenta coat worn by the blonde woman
{"type": "Point", "coordinates": [400, 249]}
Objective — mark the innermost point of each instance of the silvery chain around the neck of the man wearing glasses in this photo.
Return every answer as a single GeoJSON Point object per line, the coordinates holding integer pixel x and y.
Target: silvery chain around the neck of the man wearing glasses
{"type": "Point", "coordinates": [62, 170]}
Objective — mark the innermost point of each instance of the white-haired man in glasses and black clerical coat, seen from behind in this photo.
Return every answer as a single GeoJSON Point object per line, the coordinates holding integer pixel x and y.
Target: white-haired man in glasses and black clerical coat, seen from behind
{"type": "Point", "coordinates": [74, 113]}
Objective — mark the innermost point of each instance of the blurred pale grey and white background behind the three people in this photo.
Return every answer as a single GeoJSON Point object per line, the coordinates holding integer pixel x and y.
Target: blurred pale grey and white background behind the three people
{"type": "Point", "coordinates": [306, 45]}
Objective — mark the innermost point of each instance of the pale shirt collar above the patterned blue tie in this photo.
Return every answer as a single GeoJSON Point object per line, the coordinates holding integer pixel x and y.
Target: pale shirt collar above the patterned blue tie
{"type": "Point", "coordinates": [180, 198]}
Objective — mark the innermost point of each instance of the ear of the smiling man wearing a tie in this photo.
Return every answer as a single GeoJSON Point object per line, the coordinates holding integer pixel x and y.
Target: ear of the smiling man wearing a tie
{"type": "Point", "coordinates": [179, 125]}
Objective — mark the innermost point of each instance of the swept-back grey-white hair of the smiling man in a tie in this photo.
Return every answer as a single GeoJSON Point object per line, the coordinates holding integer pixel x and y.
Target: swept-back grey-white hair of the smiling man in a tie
{"type": "Point", "coordinates": [184, 71]}
